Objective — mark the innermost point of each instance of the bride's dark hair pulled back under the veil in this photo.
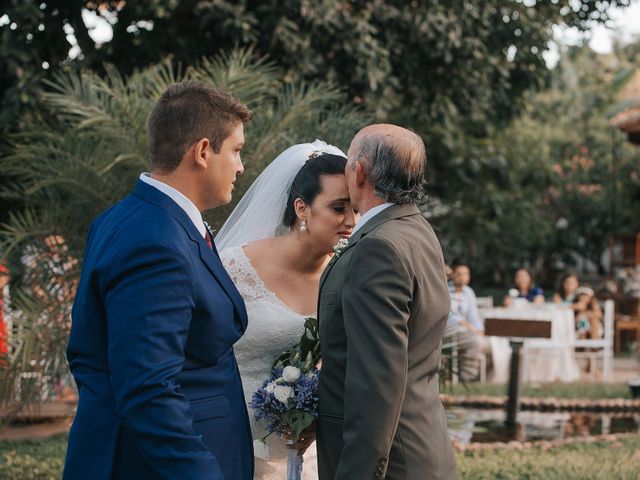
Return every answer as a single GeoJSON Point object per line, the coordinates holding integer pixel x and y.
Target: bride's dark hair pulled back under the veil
{"type": "Point", "coordinates": [306, 185]}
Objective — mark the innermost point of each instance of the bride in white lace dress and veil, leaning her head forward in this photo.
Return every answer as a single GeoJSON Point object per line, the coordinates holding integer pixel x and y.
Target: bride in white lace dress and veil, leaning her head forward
{"type": "Point", "coordinates": [275, 245]}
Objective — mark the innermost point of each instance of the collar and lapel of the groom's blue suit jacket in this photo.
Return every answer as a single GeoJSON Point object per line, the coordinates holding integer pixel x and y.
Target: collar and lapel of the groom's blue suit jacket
{"type": "Point", "coordinates": [208, 256]}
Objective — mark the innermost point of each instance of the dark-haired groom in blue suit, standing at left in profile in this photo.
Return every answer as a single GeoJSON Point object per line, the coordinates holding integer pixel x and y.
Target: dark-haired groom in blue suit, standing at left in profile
{"type": "Point", "coordinates": [156, 315]}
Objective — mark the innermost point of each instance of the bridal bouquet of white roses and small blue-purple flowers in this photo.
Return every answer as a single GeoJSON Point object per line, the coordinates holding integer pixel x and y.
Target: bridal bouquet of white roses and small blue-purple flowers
{"type": "Point", "coordinates": [287, 401]}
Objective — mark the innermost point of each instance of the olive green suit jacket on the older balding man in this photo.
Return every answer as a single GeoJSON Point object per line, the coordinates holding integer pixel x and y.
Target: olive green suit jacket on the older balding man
{"type": "Point", "coordinates": [382, 311]}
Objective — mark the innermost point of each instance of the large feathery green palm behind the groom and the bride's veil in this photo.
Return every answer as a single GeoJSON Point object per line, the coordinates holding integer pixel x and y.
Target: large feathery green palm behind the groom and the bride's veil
{"type": "Point", "coordinates": [85, 154]}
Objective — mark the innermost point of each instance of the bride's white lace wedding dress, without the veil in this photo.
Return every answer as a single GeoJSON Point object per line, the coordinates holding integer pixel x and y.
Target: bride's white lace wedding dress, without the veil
{"type": "Point", "coordinates": [273, 327]}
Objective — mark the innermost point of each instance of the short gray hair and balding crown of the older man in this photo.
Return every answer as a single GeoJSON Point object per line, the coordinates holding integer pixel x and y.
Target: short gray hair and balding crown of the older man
{"type": "Point", "coordinates": [395, 165]}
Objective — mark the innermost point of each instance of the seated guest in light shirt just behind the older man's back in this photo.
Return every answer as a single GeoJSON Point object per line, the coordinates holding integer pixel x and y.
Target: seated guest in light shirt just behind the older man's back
{"type": "Point", "coordinates": [464, 313]}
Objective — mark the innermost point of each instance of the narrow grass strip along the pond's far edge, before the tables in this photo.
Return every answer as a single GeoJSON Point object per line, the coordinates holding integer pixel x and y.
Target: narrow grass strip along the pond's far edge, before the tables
{"type": "Point", "coordinates": [559, 390]}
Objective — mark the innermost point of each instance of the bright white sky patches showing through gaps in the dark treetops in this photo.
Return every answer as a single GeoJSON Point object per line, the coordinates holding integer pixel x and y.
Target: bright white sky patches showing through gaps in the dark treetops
{"type": "Point", "coordinates": [624, 24]}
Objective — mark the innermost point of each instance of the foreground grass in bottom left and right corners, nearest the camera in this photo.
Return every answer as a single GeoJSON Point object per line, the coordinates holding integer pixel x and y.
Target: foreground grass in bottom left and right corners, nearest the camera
{"type": "Point", "coordinates": [600, 460]}
